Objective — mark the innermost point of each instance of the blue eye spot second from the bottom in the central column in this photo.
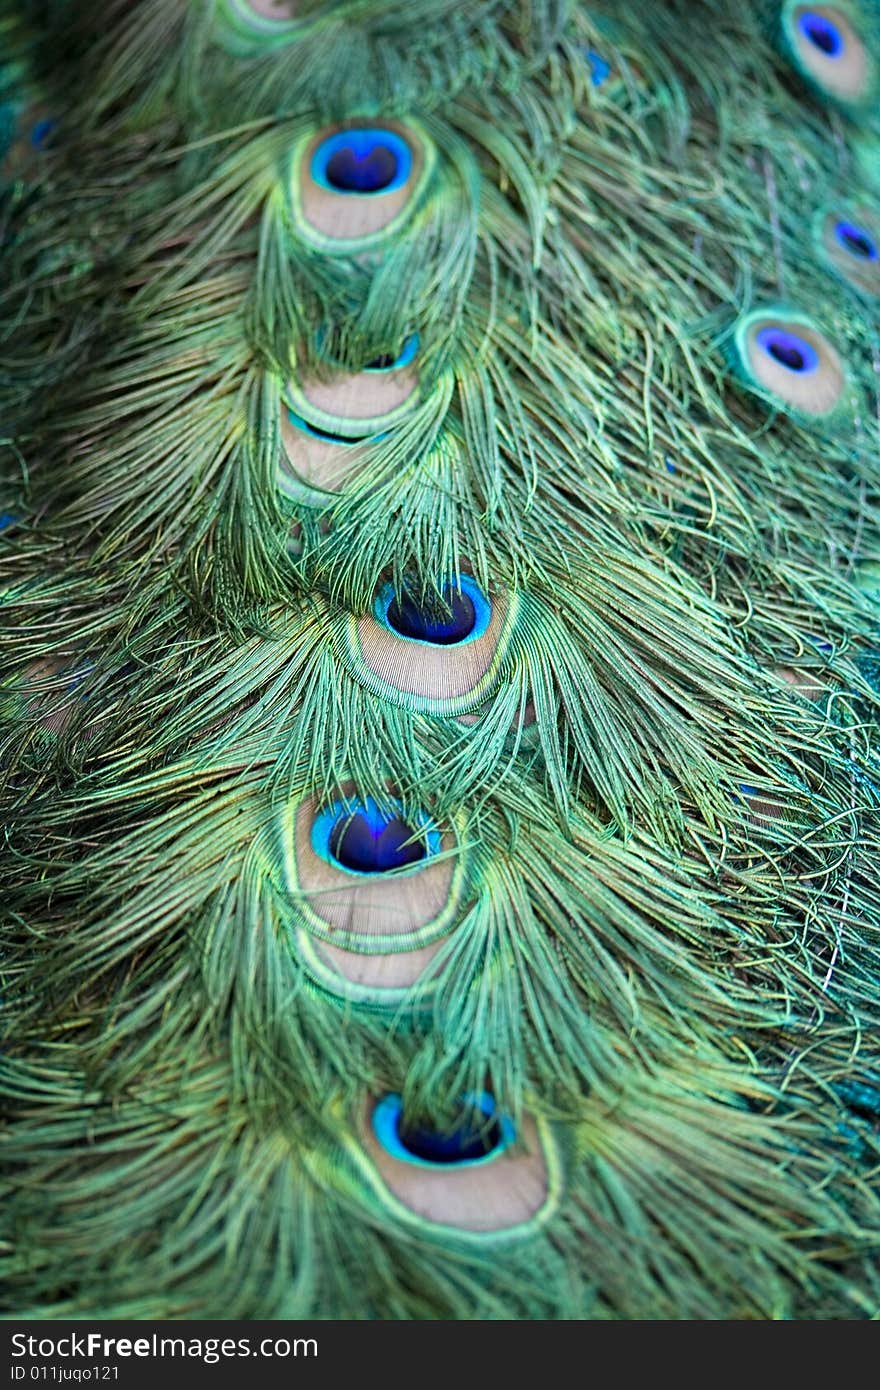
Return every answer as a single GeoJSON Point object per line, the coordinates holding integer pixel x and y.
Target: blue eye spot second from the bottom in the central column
{"type": "Point", "coordinates": [365, 839]}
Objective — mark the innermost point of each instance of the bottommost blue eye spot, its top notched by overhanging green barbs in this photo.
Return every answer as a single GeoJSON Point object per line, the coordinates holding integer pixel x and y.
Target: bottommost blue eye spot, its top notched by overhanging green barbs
{"type": "Point", "coordinates": [480, 1136]}
